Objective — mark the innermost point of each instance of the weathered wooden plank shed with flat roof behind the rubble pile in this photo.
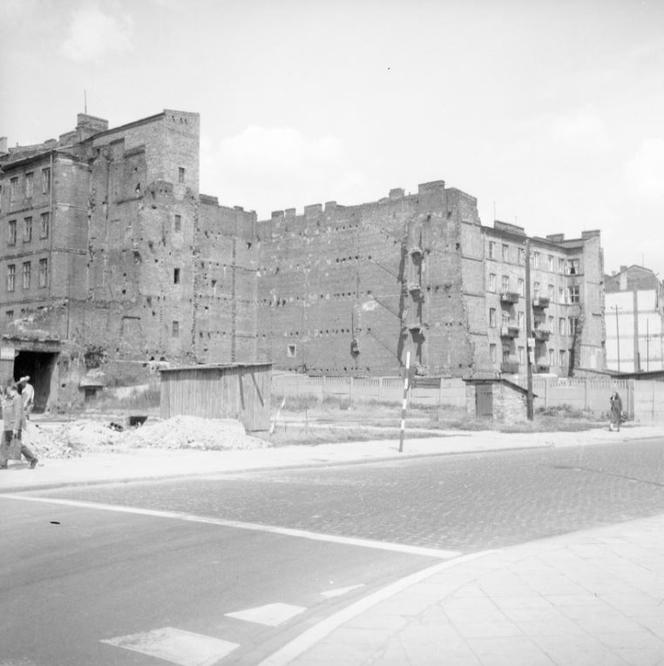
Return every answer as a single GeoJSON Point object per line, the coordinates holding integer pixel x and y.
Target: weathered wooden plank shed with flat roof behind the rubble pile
{"type": "Point", "coordinates": [236, 390]}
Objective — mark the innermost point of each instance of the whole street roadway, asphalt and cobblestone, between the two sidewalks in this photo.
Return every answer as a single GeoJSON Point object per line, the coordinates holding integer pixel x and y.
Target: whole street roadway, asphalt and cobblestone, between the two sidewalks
{"type": "Point", "coordinates": [73, 576]}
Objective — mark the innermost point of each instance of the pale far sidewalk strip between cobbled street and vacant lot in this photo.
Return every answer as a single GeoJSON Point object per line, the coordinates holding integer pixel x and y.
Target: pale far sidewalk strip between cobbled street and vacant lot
{"type": "Point", "coordinates": [151, 463]}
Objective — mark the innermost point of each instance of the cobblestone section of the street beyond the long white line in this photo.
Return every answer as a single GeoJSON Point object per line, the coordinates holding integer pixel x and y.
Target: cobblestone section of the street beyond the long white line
{"type": "Point", "coordinates": [466, 502]}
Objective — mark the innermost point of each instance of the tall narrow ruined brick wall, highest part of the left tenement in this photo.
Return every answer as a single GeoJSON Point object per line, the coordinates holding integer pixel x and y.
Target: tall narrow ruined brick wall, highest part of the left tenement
{"type": "Point", "coordinates": [141, 237]}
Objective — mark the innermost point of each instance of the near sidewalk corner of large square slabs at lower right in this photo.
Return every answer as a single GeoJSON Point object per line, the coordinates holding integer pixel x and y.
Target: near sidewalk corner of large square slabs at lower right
{"type": "Point", "coordinates": [584, 599]}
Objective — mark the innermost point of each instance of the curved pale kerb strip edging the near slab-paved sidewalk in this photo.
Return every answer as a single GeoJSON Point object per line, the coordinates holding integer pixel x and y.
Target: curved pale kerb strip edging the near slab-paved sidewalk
{"type": "Point", "coordinates": [310, 637]}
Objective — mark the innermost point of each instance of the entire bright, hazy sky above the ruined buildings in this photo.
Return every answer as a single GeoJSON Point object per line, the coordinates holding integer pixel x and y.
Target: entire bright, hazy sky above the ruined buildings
{"type": "Point", "coordinates": [550, 112]}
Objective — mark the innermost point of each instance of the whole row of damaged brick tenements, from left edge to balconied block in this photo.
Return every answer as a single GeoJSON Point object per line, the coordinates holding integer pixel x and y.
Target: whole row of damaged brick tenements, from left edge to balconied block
{"type": "Point", "coordinates": [114, 261]}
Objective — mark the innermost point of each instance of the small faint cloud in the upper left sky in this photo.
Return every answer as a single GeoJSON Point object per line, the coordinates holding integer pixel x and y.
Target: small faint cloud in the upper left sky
{"type": "Point", "coordinates": [93, 34]}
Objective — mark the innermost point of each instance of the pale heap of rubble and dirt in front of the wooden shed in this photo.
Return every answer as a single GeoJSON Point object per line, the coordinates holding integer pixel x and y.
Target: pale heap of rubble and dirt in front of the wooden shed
{"type": "Point", "coordinates": [67, 440]}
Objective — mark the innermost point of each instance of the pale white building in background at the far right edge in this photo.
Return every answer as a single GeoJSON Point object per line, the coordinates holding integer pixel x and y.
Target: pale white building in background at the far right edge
{"type": "Point", "coordinates": [634, 318]}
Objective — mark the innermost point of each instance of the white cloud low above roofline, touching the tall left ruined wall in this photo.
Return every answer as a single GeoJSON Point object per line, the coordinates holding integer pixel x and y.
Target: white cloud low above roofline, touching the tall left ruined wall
{"type": "Point", "coordinates": [268, 168]}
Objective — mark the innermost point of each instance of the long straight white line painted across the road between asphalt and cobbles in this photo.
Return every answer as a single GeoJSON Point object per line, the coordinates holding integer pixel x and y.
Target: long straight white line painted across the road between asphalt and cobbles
{"type": "Point", "coordinates": [257, 527]}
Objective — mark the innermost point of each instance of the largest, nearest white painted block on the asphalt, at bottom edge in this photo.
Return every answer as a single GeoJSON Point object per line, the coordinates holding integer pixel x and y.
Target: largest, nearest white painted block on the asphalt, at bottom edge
{"type": "Point", "coordinates": [183, 648]}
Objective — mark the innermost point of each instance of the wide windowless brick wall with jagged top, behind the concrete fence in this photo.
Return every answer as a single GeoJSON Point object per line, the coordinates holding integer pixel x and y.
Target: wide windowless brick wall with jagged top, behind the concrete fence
{"type": "Point", "coordinates": [386, 275]}
